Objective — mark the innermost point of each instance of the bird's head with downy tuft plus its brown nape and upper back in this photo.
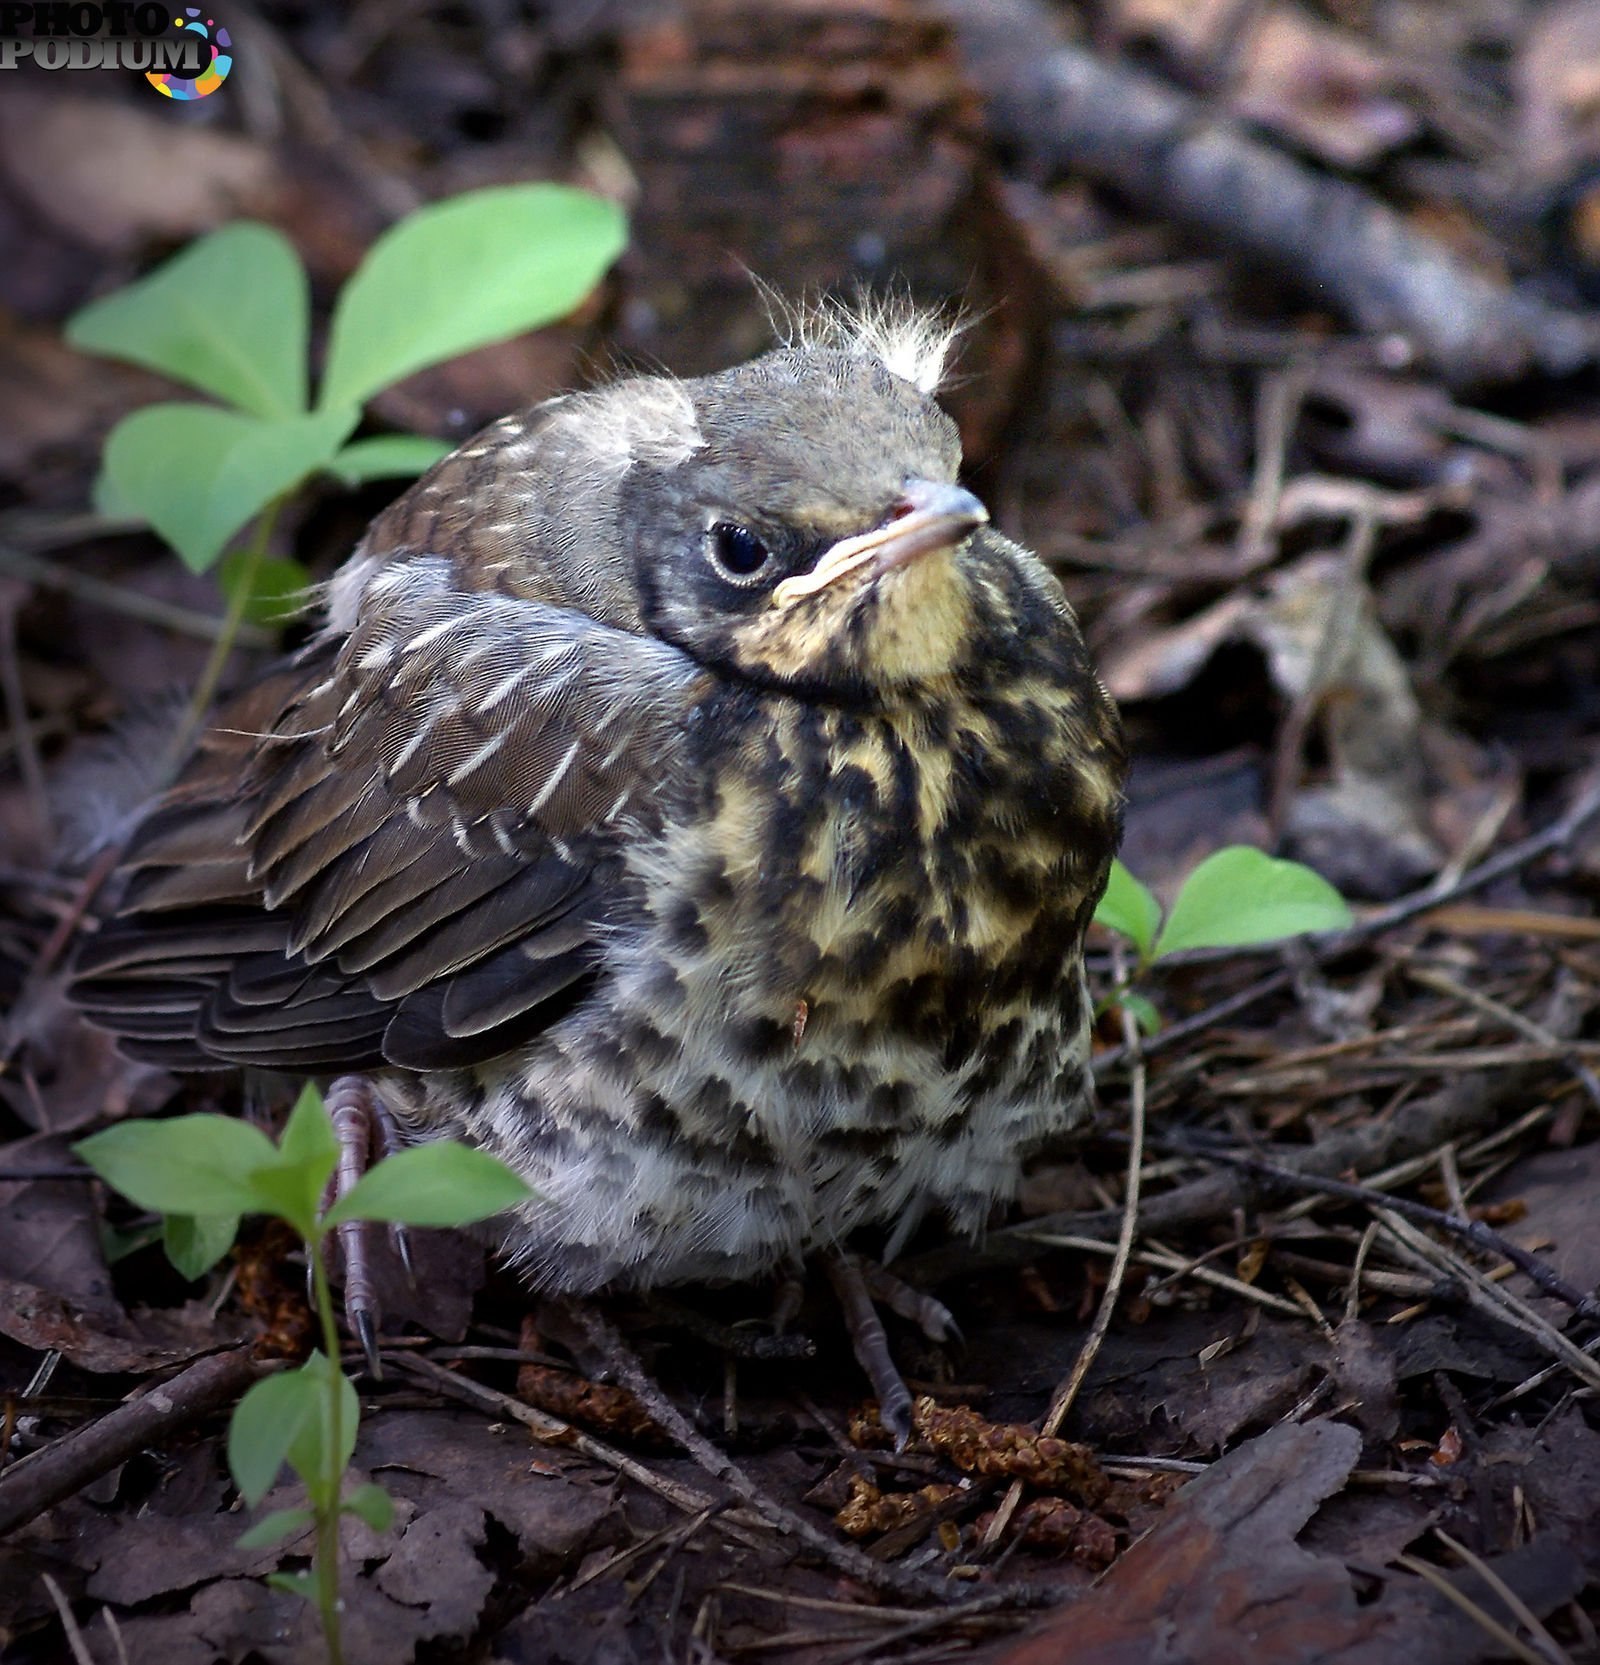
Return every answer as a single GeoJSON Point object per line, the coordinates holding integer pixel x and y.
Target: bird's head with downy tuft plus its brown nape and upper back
{"type": "Point", "coordinates": [793, 522]}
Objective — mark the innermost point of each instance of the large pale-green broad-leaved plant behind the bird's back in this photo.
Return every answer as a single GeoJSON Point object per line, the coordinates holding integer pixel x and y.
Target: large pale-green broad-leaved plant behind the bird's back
{"type": "Point", "coordinates": [231, 316]}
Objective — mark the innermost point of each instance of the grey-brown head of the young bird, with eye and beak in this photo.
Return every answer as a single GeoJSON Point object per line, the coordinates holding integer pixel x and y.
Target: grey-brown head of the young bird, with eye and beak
{"type": "Point", "coordinates": [812, 534]}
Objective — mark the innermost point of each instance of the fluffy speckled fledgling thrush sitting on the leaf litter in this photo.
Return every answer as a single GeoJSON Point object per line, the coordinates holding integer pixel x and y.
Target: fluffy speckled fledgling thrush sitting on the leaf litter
{"type": "Point", "coordinates": [688, 798]}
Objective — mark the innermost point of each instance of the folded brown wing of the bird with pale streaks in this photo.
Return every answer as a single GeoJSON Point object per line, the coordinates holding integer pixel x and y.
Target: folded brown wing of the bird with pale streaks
{"type": "Point", "coordinates": [399, 847]}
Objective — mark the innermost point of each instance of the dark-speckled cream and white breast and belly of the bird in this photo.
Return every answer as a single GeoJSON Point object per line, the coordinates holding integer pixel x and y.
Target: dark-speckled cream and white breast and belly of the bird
{"type": "Point", "coordinates": [847, 988]}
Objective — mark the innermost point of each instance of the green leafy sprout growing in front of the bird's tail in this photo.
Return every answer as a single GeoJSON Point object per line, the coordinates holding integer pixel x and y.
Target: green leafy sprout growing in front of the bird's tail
{"type": "Point", "coordinates": [202, 1175]}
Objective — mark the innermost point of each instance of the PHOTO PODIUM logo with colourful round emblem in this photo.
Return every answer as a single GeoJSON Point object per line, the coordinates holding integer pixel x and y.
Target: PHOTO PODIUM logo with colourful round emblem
{"type": "Point", "coordinates": [121, 36]}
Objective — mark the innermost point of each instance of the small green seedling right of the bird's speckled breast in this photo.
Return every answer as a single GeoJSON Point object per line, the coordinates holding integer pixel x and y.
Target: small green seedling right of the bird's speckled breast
{"type": "Point", "coordinates": [1235, 898]}
